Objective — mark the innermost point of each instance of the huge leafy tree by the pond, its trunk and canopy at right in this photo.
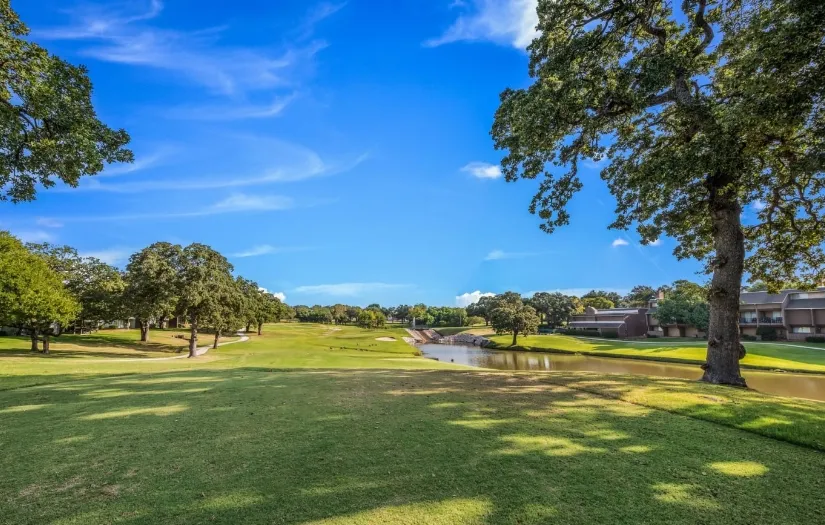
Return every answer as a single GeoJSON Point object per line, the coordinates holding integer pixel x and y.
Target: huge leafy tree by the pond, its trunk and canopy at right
{"type": "Point", "coordinates": [699, 113]}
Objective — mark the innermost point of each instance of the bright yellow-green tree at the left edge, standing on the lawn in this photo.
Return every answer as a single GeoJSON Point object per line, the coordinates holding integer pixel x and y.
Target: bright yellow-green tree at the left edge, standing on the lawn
{"type": "Point", "coordinates": [32, 294]}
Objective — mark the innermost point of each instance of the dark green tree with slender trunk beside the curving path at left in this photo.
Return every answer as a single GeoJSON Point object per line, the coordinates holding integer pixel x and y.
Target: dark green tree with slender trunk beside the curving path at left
{"type": "Point", "coordinates": [205, 276]}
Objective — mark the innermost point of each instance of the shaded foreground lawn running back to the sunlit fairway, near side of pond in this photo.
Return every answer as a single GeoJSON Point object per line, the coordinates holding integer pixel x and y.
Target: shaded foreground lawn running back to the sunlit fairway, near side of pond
{"type": "Point", "coordinates": [317, 426]}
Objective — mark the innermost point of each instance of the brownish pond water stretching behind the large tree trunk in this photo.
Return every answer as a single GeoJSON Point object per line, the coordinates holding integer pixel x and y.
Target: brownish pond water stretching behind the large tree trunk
{"type": "Point", "coordinates": [808, 386]}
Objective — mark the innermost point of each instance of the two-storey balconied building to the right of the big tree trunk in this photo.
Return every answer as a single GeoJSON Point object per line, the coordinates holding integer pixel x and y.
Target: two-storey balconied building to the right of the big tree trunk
{"type": "Point", "coordinates": [794, 314]}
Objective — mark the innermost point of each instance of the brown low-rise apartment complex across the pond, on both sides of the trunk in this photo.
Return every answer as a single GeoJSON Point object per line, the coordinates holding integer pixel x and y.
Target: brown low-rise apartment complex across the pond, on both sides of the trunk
{"type": "Point", "coordinates": [794, 314]}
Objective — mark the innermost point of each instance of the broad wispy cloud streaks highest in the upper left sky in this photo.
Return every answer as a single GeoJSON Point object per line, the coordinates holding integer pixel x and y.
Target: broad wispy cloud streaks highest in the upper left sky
{"type": "Point", "coordinates": [125, 35]}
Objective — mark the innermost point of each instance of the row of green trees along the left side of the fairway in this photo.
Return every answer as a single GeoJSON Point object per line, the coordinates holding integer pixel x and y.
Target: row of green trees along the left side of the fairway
{"type": "Point", "coordinates": [47, 289]}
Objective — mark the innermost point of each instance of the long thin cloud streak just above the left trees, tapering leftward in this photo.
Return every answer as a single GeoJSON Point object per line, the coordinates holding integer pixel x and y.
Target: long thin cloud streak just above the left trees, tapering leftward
{"type": "Point", "coordinates": [235, 203]}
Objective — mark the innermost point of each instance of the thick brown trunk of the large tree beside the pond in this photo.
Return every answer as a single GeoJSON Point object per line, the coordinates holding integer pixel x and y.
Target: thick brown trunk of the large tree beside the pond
{"type": "Point", "coordinates": [724, 347]}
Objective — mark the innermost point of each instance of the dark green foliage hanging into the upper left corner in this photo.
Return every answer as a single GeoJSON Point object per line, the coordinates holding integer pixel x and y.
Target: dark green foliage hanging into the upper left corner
{"type": "Point", "coordinates": [48, 127]}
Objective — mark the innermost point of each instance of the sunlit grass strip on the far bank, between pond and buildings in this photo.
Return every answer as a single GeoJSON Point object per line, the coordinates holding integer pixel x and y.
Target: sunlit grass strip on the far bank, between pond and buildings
{"type": "Point", "coordinates": [779, 355]}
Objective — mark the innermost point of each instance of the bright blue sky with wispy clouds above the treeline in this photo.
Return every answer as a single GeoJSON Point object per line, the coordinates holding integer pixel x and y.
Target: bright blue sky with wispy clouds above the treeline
{"type": "Point", "coordinates": [335, 152]}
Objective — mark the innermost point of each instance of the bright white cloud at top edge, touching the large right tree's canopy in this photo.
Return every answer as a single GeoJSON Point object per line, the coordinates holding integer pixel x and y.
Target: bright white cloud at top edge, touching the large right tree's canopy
{"type": "Point", "coordinates": [505, 22]}
